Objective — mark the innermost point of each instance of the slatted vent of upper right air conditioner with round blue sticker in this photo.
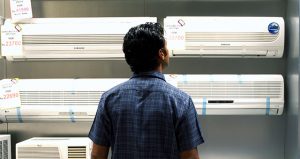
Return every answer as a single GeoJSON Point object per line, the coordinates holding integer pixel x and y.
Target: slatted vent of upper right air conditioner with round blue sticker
{"type": "Point", "coordinates": [230, 37]}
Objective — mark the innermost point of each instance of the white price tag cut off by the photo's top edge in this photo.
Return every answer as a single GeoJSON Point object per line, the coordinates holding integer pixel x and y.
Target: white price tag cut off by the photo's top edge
{"type": "Point", "coordinates": [20, 9]}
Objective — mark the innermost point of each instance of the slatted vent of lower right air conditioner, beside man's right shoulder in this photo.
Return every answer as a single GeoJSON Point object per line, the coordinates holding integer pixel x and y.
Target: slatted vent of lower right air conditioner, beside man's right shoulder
{"type": "Point", "coordinates": [218, 89]}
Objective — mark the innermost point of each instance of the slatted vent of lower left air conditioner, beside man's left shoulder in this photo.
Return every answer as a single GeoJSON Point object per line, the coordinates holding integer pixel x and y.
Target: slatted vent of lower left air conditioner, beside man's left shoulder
{"type": "Point", "coordinates": [59, 98]}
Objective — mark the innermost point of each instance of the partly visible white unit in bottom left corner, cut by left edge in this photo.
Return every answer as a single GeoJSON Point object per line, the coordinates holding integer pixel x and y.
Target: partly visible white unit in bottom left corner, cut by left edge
{"type": "Point", "coordinates": [5, 147]}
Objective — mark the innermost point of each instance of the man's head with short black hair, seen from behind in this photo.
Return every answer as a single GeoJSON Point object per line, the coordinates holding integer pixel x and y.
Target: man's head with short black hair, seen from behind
{"type": "Point", "coordinates": [145, 48]}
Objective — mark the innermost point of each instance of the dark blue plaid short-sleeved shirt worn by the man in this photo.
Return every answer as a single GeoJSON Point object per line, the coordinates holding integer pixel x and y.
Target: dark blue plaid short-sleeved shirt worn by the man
{"type": "Point", "coordinates": [146, 118]}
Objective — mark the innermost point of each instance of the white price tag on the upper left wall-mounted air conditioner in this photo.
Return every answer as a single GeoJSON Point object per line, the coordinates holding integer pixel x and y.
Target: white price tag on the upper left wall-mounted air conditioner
{"type": "Point", "coordinates": [11, 40]}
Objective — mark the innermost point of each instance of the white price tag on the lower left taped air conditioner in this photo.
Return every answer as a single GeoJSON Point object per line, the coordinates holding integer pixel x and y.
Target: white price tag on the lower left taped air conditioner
{"type": "Point", "coordinates": [9, 94]}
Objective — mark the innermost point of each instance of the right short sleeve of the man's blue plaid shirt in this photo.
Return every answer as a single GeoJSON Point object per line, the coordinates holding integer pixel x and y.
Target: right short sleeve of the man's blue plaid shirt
{"type": "Point", "coordinates": [188, 129]}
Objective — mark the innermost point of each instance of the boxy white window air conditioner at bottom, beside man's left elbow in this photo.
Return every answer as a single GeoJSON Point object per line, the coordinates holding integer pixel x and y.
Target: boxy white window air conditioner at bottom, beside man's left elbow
{"type": "Point", "coordinates": [54, 148]}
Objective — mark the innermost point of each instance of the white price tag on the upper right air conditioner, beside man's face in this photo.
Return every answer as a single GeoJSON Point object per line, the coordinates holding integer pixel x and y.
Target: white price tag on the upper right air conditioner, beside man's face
{"type": "Point", "coordinates": [175, 34]}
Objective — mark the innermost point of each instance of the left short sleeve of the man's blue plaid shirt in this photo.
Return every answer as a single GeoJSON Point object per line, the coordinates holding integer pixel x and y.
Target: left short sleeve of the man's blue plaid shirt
{"type": "Point", "coordinates": [100, 132]}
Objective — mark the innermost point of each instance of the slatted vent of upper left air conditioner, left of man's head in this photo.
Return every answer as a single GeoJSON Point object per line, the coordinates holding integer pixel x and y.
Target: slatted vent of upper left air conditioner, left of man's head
{"type": "Point", "coordinates": [74, 39]}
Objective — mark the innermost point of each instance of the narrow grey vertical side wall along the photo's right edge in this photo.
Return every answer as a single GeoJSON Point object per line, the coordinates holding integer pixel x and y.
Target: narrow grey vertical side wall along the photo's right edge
{"type": "Point", "coordinates": [292, 134]}
